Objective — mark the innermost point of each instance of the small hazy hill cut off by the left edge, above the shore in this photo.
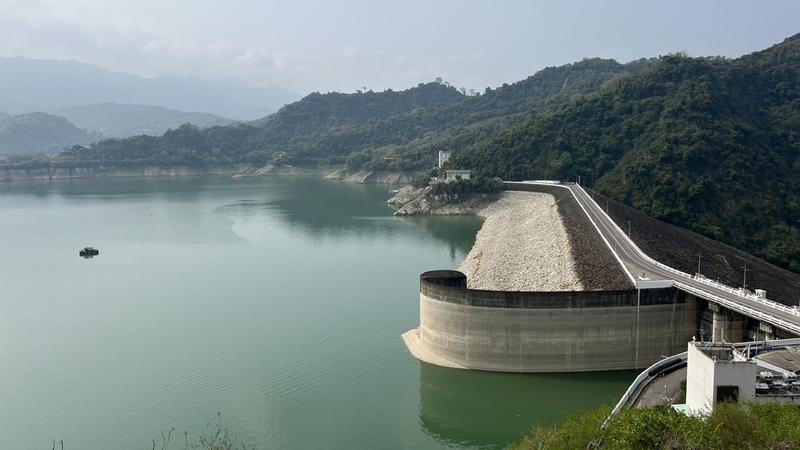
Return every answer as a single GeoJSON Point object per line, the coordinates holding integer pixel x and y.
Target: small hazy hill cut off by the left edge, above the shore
{"type": "Point", "coordinates": [34, 133]}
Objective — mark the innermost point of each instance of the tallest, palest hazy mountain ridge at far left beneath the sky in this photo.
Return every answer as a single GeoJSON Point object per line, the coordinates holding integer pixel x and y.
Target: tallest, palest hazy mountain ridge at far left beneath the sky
{"type": "Point", "coordinates": [28, 85]}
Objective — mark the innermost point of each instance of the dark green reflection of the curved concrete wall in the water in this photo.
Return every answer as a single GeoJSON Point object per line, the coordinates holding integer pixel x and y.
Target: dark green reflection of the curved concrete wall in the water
{"type": "Point", "coordinates": [490, 410]}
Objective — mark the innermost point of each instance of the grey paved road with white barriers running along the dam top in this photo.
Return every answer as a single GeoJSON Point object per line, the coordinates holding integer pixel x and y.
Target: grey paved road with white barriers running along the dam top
{"type": "Point", "coordinates": [645, 272]}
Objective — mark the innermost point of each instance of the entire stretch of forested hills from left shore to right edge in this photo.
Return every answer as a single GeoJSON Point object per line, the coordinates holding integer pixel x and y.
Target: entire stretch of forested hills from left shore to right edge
{"type": "Point", "coordinates": [710, 144]}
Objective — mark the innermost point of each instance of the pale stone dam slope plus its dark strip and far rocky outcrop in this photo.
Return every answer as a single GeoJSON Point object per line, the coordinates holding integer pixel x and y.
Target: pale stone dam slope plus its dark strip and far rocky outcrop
{"type": "Point", "coordinates": [538, 240]}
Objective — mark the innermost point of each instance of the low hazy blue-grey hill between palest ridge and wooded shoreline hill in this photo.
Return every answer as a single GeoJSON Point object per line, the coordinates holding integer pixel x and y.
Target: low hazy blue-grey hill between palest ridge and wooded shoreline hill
{"type": "Point", "coordinates": [116, 120]}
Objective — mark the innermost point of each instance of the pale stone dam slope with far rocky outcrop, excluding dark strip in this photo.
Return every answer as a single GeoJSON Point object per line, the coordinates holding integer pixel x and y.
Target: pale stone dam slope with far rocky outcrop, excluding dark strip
{"type": "Point", "coordinates": [522, 245]}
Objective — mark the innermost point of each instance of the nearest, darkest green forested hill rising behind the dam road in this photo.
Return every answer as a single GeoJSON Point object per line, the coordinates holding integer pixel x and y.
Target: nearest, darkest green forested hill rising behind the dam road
{"type": "Point", "coordinates": [709, 144]}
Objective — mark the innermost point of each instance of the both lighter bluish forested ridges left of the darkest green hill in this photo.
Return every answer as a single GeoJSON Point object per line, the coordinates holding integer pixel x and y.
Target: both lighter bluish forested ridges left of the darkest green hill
{"type": "Point", "coordinates": [365, 126]}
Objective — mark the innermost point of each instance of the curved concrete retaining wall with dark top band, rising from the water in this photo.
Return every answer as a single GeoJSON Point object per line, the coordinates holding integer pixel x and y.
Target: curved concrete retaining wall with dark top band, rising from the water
{"type": "Point", "coordinates": [568, 331]}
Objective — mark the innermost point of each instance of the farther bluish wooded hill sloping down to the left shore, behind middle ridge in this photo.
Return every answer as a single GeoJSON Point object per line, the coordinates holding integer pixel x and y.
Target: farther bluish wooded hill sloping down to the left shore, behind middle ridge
{"type": "Point", "coordinates": [292, 131]}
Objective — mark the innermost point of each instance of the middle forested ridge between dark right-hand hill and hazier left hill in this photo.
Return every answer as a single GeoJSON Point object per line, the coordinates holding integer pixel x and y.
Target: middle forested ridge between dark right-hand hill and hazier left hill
{"type": "Point", "coordinates": [419, 134]}
